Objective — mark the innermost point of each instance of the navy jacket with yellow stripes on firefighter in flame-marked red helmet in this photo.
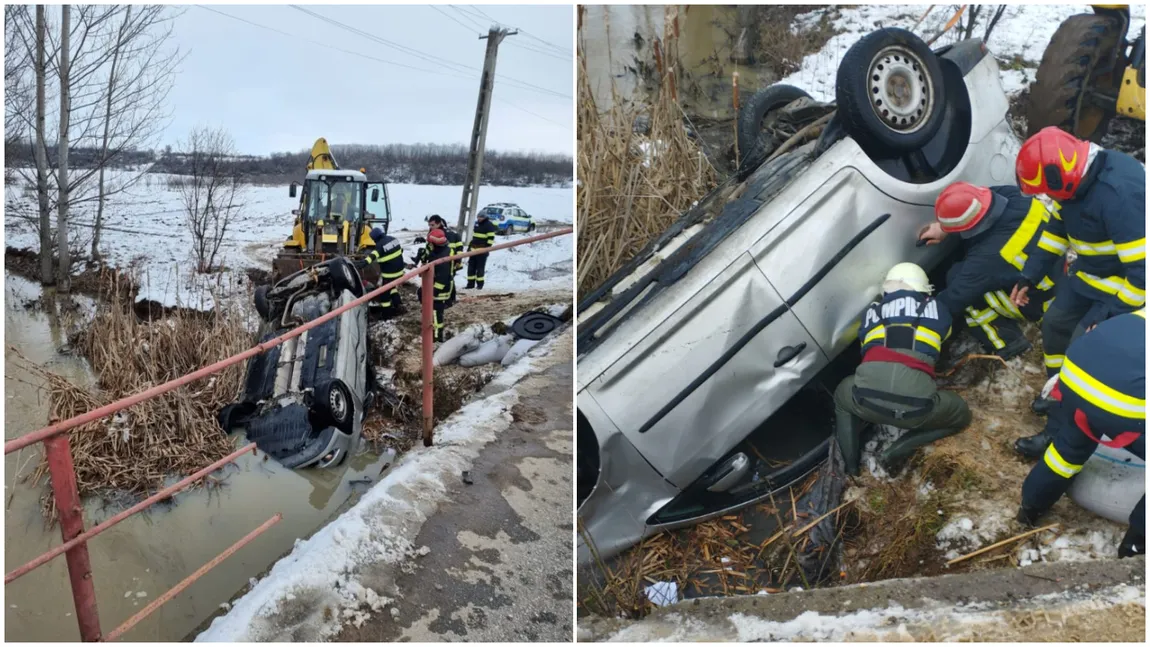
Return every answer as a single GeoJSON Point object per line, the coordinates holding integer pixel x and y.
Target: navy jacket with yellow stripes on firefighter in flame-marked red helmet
{"type": "Point", "coordinates": [1106, 227]}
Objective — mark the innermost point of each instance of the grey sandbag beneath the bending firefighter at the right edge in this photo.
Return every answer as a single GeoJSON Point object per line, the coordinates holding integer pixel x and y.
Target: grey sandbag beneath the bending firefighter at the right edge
{"type": "Point", "coordinates": [1110, 484]}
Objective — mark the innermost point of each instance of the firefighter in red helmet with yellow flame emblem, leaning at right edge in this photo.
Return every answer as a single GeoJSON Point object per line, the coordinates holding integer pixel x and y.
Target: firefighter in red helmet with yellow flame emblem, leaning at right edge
{"type": "Point", "coordinates": [1102, 219]}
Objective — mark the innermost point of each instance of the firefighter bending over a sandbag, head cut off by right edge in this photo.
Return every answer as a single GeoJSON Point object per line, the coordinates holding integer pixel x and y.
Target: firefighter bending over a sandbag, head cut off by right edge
{"type": "Point", "coordinates": [1101, 391]}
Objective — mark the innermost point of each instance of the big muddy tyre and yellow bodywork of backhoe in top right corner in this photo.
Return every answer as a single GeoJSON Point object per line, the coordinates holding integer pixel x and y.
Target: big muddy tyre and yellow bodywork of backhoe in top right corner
{"type": "Point", "coordinates": [1090, 74]}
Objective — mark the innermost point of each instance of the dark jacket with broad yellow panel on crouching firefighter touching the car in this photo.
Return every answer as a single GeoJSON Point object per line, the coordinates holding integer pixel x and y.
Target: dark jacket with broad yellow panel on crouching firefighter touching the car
{"type": "Point", "coordinates": [996, 256]}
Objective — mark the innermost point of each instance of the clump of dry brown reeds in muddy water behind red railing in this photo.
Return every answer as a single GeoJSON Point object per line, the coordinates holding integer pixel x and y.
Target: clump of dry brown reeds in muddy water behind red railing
{"type": "Point", "coordinates": [178, 434]}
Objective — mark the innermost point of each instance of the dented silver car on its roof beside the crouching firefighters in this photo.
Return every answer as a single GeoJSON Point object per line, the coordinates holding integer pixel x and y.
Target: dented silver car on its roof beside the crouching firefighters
{"type": "Point", "coordinates": [707, 365]}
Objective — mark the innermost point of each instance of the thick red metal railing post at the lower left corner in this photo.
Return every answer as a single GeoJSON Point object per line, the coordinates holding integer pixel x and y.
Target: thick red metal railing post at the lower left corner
{"type": "Point", "coordinates": [72, 525]}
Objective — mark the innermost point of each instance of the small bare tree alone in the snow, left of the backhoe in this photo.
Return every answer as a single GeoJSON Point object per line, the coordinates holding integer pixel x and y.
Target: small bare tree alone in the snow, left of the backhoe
{"type": "Point", "coordinates": [211, 194]}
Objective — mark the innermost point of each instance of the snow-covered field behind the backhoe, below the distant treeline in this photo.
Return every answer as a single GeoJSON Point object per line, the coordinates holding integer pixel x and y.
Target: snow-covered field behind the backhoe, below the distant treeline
{"type": "Point", "coordinates": [147, 230]}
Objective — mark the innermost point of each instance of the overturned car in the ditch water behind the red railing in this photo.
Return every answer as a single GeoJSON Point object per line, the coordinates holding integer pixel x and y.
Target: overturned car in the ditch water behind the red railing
{"type": "Point", "coordinates": [304, 402]}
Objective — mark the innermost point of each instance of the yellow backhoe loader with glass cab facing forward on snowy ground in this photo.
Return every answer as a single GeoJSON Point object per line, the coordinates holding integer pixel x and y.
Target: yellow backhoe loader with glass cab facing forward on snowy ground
{"type": "Point", "coordinates": [338, 211]}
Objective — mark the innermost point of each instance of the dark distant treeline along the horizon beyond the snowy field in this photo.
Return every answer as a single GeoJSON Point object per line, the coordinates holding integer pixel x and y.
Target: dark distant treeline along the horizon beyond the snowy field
{"type": "Point", "coordinates": [408, 164]}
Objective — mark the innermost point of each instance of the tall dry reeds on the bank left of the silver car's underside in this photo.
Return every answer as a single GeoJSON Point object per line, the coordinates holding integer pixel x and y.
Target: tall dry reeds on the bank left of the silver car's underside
{"type": "Point", "coordinates": [632, 187]}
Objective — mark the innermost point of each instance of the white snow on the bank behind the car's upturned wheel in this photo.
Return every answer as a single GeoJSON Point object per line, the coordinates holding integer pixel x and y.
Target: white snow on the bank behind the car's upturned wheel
{"type": "Point", "coordinates": [1018, 41]}
